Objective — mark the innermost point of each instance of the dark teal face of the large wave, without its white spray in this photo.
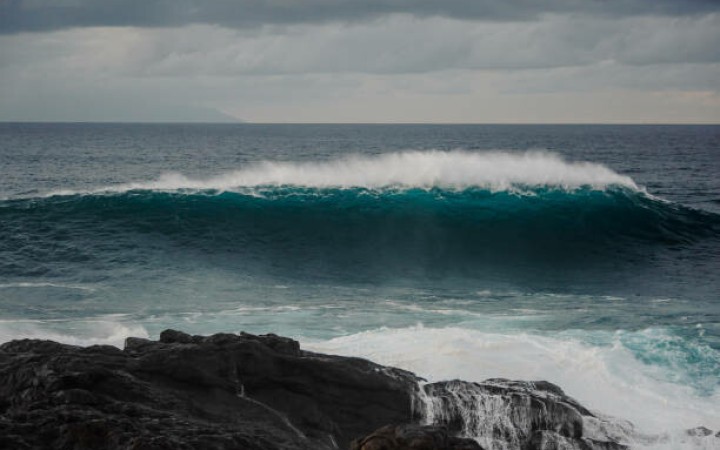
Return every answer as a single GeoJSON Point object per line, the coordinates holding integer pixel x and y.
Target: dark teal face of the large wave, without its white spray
{"type": "Point", "coordinates": [356, 232]}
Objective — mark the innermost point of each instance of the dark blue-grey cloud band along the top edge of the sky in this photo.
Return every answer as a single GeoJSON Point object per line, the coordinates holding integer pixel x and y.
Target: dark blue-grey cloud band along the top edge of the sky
{"type": "Point", "coordinates": [41, 15]}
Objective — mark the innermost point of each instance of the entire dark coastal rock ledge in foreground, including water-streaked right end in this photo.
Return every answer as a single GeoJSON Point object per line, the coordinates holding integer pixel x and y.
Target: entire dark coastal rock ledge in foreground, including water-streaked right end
{"type": "Point", "coordinates": [229, 391]}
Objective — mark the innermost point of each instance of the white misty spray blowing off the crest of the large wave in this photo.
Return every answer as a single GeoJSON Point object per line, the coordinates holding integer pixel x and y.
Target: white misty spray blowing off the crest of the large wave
{"type": "Point", "coordinates": [497, 171]}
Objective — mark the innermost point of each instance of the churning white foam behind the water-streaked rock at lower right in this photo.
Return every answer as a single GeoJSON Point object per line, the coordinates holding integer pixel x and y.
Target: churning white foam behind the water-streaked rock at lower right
{"type": "Point", "coordinates": [608, 379]}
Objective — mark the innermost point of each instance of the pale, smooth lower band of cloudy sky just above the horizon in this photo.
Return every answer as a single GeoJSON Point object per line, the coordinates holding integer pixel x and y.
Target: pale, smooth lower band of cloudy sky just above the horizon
{"type": "Point", "coordinates": [536, 95]}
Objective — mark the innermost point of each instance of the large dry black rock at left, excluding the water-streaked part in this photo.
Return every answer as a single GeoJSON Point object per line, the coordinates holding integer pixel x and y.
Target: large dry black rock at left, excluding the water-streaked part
{"type": "Point", "coordinates": [221, 391]}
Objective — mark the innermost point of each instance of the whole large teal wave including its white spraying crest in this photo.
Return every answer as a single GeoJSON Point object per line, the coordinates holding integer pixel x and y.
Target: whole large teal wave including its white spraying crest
{"type": "Point", "coordinates": [441, 212]}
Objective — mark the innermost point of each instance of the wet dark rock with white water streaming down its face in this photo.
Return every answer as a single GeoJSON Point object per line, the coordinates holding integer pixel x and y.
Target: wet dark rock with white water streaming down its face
{"type": "Point", "coordinates": [514, 414]}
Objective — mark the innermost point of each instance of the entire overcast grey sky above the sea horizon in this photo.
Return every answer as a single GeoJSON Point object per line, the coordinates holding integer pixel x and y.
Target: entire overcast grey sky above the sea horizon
{"type": "Point", "coordinates": [457, 61]}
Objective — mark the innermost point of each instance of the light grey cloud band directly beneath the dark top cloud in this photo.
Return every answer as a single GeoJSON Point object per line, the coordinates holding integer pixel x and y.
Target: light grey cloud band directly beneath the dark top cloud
{"type": "Point", "coordinates": [393, 45]}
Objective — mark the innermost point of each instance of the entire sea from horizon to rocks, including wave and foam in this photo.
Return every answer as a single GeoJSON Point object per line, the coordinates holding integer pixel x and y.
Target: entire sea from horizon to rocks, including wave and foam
{"type": "Point", "coordinates": [588, 256]}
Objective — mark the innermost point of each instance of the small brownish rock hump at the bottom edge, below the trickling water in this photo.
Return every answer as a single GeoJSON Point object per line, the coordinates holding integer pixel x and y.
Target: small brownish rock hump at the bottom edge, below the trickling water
{"type": "Point", "coordinates": [413, 437]}
